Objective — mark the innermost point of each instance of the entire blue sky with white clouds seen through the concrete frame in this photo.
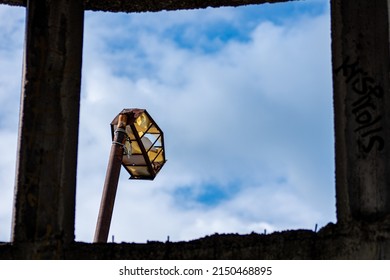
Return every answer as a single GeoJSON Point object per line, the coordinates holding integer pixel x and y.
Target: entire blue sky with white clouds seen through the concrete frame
{"type": "Point", "coordinates": [243, 95]}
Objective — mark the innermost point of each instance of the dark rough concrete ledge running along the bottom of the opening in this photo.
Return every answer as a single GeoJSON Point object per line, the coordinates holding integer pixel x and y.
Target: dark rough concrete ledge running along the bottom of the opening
{"type": "Point", "coordinates": [354, 241]}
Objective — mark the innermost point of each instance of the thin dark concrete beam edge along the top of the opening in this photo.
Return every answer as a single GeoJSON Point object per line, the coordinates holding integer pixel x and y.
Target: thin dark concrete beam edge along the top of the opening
{"type": "Point", "coordinates": [154, 5]}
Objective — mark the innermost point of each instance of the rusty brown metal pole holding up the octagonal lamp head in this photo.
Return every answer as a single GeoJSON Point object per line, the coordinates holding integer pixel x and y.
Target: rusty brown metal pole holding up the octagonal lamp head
{"type": "Point", "coordinates": [111, 182]}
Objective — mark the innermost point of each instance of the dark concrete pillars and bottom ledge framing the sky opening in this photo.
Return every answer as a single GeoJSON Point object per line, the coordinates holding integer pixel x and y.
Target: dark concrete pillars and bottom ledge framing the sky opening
{"type": "Point", "coordinates": [43, 225]}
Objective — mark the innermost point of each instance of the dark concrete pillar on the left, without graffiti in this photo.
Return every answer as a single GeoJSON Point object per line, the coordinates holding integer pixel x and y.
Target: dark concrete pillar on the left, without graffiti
{"type": "Point", "coordinates": [44, 208]}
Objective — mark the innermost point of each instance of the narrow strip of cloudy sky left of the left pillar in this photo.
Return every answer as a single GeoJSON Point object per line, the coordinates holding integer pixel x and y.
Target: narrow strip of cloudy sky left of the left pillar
{"type": "Point", "coordinates": [11, 43]}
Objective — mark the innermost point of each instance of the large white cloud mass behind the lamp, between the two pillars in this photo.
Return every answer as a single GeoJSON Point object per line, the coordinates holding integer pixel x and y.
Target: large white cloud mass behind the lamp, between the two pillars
{"type": "Point", "coordinates": [255, 114]}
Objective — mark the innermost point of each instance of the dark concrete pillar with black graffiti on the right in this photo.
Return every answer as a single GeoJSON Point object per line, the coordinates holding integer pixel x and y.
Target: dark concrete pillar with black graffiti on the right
{"type": "Point", "coordinates": [361, 71]}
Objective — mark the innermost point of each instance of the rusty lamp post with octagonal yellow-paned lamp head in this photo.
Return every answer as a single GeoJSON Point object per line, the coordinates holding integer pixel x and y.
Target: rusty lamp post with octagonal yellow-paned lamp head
{"type": "Point", "coordinates": [138, 146]}
